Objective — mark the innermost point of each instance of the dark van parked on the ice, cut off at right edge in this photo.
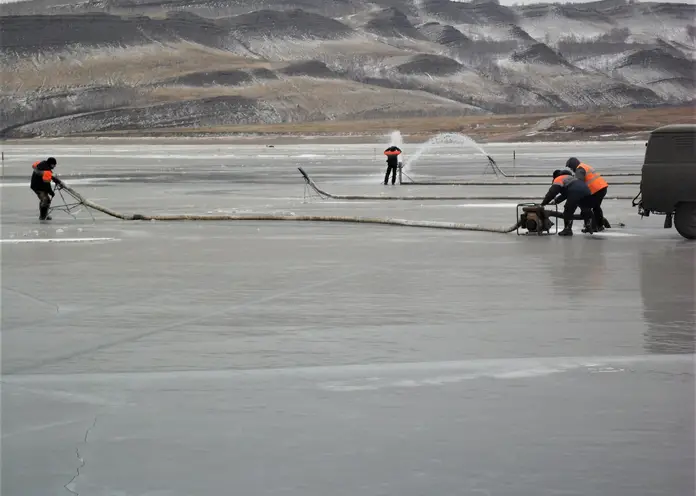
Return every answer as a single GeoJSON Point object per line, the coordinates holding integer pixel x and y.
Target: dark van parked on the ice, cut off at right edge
{"type": "Point", "coordinates": [668, 183]}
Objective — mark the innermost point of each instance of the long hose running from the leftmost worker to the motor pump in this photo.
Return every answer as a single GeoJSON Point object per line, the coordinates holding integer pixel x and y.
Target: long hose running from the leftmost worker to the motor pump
{"type": "Point", "coordinates": [275, 217]}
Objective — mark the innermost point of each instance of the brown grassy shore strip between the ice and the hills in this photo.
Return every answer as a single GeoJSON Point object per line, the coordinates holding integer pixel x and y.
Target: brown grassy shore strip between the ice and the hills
{"type": "Point", "coordinates": [608, 125]}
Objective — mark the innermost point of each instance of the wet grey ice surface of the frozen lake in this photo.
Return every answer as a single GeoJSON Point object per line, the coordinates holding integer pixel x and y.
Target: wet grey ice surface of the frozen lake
{"type": "Point", "coordinates": [314, 359]}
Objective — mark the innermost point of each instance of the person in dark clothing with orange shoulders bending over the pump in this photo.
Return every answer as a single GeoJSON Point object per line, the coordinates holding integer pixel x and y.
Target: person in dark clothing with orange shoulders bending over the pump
{"type": "Point", "coordinates": [578, 195]}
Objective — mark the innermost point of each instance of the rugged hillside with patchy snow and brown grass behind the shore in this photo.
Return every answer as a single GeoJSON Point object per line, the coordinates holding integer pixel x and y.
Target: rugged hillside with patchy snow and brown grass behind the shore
{"type": "Point", "coordinates": [74, 66]}
